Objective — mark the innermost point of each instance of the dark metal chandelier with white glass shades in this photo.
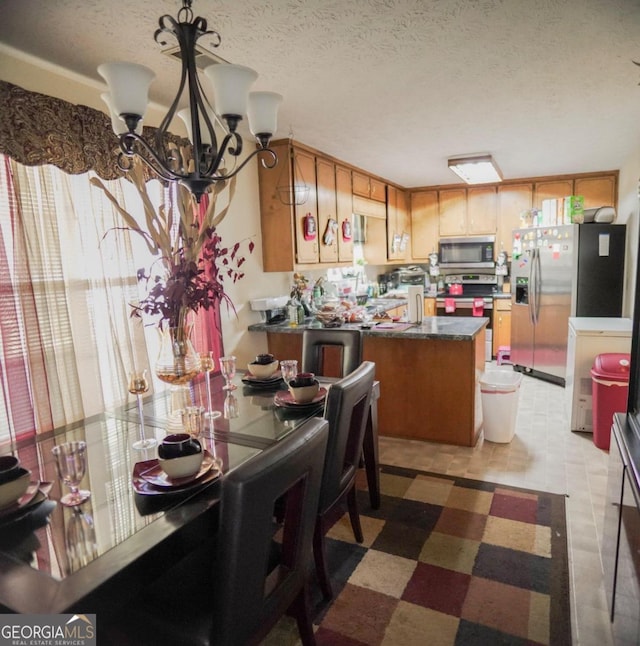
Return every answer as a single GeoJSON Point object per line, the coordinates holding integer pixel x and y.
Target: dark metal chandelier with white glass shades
{"type": "Point", "coordinates": [128, 98]}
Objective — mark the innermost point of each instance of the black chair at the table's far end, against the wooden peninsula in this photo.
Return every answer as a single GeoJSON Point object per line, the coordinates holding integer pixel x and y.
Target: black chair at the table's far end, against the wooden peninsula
{"type": "Point", "coordinates": [331, 352]}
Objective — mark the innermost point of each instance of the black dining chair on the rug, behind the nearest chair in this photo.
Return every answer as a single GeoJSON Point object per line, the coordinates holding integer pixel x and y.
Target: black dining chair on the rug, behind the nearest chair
{"type": "Point", "coordinates": [346, 410]}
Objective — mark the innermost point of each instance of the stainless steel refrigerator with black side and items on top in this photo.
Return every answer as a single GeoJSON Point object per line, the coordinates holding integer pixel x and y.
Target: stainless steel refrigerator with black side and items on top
{"type": "Point", "coordinates": [556, 273]}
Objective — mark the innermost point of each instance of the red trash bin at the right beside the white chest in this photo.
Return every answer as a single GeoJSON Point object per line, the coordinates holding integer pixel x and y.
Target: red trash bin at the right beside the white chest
{"type": "Point", "coordinates": [610, 389]}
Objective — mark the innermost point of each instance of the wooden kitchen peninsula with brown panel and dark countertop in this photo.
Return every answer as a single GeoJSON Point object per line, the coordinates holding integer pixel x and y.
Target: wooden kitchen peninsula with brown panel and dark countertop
{"type": "Point", "coordinates": [428, 373]}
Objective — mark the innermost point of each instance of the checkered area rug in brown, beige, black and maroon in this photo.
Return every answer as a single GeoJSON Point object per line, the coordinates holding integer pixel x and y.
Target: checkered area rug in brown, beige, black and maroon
{"type": "Point", "coordinates": [449, 561]}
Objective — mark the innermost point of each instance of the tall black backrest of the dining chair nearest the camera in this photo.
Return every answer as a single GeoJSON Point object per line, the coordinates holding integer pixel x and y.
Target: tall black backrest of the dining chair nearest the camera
{"type": "Point", "coordinates": [250, 593]}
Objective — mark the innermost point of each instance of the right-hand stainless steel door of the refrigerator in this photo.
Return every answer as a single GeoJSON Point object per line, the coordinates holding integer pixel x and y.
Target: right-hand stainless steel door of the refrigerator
{"type": "Point", "coordinates": [556, 269]}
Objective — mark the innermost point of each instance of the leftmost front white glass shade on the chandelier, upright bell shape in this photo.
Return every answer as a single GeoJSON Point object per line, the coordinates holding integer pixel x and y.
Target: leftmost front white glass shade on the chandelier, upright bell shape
{"type": "Point", "coordinates": [128, 86]}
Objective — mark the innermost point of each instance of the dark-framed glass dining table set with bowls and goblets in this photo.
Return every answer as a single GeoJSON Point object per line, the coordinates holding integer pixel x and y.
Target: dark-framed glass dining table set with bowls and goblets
{"type": "Point", "coordinates": [93, 557]}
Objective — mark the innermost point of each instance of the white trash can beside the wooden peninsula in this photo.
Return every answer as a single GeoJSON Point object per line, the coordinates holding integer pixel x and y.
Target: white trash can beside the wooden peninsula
{"type": "Point", "coordinates": [499, 390]}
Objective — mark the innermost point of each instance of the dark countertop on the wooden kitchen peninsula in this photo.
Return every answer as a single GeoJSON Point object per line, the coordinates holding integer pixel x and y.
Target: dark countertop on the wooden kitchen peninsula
{"type": "Point", "coordinates": [452, 328]}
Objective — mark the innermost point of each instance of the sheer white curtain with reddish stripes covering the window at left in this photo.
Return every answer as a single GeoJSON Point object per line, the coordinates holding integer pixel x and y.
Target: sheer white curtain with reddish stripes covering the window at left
{"type": "Point", "coordinates": [68, 273]}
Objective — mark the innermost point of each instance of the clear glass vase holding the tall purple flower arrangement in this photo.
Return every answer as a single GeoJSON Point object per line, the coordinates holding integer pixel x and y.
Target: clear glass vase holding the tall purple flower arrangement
{"type": "Point", "coordinates": [178, 363]}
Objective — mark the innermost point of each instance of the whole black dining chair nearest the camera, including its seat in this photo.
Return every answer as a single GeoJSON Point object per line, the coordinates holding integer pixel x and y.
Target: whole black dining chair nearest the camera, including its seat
{"type": "Point", "coordinates": [260, 568]}
